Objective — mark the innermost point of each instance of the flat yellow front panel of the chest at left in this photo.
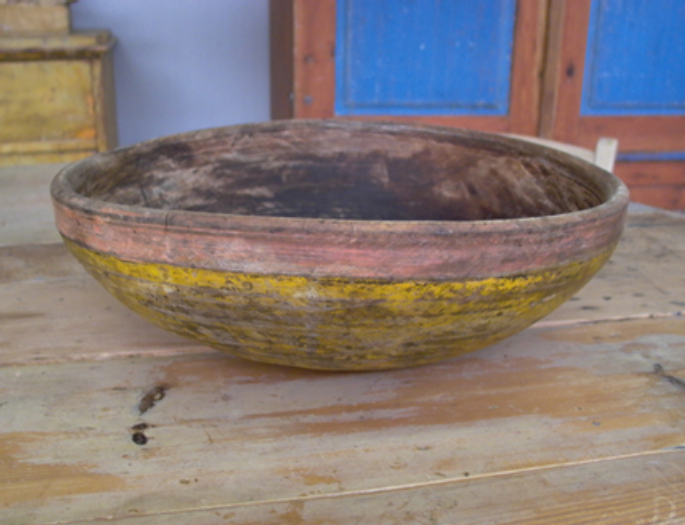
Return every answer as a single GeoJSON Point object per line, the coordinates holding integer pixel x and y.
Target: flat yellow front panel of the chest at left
{"type": "Point", "coordinates": [47, 100]}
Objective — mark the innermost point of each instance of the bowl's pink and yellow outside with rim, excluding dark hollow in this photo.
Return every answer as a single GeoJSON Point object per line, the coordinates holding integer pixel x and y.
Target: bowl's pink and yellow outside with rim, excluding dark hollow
{"type": "Point", "coordinates": [336, 294]}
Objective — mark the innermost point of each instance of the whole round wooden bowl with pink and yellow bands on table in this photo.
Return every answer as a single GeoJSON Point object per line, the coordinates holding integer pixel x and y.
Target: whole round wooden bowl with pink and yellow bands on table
{"type": "Point", "coordinates": [340, 245]}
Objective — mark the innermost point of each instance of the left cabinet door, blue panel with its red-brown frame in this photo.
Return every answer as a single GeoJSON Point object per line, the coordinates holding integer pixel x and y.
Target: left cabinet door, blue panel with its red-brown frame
{"type": "Point", "coordinates": [468, 63]}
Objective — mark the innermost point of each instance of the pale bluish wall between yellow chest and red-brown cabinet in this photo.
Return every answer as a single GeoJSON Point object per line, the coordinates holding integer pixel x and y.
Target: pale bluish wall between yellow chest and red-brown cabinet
{"type": "Point", "coordinates": [181, 65]}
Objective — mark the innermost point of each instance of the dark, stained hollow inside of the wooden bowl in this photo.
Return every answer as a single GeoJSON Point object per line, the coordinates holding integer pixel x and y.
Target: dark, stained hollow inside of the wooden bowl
{"type": "Point", "coordinates": [347, 171]}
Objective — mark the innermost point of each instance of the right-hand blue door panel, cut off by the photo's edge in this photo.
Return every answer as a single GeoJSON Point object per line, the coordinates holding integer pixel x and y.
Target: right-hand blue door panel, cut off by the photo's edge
{"type": "Point", "coordinates": [635, 61]}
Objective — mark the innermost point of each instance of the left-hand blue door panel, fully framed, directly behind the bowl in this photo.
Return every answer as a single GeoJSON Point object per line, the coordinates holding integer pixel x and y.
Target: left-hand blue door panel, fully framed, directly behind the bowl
{"type": "Point", "coordinates": [424, 57]}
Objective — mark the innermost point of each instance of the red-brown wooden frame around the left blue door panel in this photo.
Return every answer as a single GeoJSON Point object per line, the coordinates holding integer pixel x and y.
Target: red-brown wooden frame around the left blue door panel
{"type": "Point", "coordinates": [303, 67]}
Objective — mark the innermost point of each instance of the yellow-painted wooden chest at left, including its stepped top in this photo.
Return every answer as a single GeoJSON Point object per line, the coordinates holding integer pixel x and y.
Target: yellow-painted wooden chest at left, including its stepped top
{"type": "Point", "coordinates": [56, 87]}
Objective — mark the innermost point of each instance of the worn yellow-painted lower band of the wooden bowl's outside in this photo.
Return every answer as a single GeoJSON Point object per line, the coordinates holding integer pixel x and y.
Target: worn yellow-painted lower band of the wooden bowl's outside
{"type": "Point", "coordinates": [338, 323]}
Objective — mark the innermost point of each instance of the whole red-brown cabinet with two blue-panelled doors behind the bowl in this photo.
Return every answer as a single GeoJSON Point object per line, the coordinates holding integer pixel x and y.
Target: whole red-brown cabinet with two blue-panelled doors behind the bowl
{"type": "Point", "coordinates": [571, 70]}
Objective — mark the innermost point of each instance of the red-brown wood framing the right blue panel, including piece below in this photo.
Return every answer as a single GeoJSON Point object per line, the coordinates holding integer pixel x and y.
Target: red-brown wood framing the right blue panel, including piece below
{"type": "Point", "coordinates": [659, 183]}
